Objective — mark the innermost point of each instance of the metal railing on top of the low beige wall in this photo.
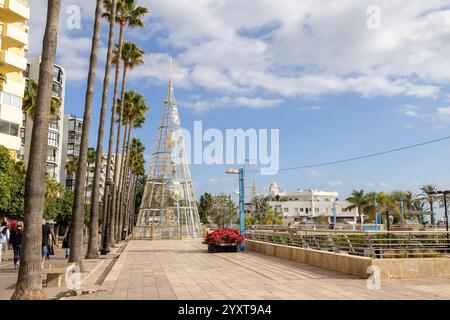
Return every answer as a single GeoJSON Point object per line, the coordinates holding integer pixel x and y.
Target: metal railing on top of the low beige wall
{"type": "Point", "coordinates": [376, 244]}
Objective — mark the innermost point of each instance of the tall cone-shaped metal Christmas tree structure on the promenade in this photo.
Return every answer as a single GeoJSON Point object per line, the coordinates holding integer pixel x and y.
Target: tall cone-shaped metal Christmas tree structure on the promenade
{"type": "Point", "coordinates": [168, 209]}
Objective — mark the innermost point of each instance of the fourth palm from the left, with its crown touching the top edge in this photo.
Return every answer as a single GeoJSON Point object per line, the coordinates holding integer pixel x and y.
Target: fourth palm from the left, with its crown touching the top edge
{"type": "Point", "coordinates": [128, 13]}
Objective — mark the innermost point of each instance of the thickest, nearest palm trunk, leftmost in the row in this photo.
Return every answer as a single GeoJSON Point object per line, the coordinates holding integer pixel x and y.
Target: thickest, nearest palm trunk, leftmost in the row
{"type": "Point", "coordinates": [29, 281]}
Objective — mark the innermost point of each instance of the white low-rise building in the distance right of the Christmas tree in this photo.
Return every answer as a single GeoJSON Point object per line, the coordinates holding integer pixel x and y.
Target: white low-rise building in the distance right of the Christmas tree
{"type": "Point", "coordinates": [306, 204]}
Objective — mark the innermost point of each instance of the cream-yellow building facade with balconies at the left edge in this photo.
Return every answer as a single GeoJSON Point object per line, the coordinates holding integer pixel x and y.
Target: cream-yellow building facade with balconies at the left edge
{"type": "Point", "coordinates": [14, 15]}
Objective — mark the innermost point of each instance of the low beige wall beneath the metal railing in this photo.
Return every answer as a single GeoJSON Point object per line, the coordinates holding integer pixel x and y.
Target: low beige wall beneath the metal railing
{"type": "Point", "coordinates": [355, 265]}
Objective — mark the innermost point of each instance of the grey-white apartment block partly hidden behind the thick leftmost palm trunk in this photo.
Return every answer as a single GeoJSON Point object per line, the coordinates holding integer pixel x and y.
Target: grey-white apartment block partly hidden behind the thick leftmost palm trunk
{"type": "Point", "coordinates": [56, 124]}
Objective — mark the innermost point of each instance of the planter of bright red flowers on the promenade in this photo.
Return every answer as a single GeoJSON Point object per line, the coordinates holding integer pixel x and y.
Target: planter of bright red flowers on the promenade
{"type": "Point", "coordinates": [223, 240]}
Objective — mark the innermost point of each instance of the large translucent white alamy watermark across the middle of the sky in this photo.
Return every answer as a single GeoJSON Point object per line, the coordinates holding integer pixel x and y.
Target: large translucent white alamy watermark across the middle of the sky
{"type": "Point", "coordinates": [232, 147]}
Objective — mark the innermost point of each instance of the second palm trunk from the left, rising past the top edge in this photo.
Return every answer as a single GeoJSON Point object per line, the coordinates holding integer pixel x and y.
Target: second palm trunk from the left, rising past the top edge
{"type": "Point", "coordinates": [76, 237]}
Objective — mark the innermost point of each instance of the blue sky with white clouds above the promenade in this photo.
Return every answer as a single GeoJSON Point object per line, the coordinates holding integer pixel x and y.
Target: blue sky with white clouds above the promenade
{"type": "Point", "coordinates": [312, 69]}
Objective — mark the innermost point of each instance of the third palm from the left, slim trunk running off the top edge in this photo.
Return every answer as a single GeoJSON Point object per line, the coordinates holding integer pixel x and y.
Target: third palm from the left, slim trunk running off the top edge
{"type": "Point", "coordinates": [92, 250]}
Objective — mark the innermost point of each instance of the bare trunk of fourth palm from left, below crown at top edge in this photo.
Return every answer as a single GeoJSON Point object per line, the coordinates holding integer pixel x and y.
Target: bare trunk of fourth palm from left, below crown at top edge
{"type": "Point", "coordinates": [112, 228]}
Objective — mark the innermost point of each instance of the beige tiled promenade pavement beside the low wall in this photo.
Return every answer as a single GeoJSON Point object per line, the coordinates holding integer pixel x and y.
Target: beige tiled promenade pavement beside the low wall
{"type": "Point", "coordinates": [185, 270]}
